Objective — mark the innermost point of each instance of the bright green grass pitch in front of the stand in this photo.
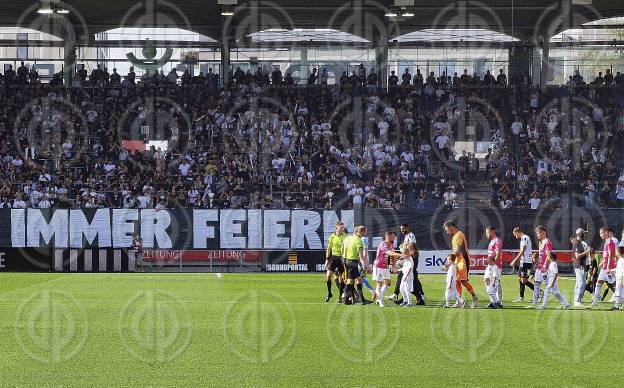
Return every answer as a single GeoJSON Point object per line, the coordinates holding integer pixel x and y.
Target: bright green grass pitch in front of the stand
{"type": "Point", "coordinates": [274, 330]}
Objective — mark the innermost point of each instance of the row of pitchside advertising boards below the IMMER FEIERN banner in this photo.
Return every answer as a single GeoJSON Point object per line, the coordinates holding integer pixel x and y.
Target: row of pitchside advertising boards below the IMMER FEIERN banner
{"type": "Point", "coordinates": [129, 260]}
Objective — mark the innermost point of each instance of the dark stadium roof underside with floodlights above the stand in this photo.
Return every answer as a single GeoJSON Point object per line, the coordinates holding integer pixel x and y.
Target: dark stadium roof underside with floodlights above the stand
{"type": "Point", "coordinates": [525, 20]}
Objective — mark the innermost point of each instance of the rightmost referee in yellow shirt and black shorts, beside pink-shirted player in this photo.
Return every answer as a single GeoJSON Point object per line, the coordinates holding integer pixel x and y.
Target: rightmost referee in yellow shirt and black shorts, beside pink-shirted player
{"type": "Point", "coordinates": [354, 255]}
